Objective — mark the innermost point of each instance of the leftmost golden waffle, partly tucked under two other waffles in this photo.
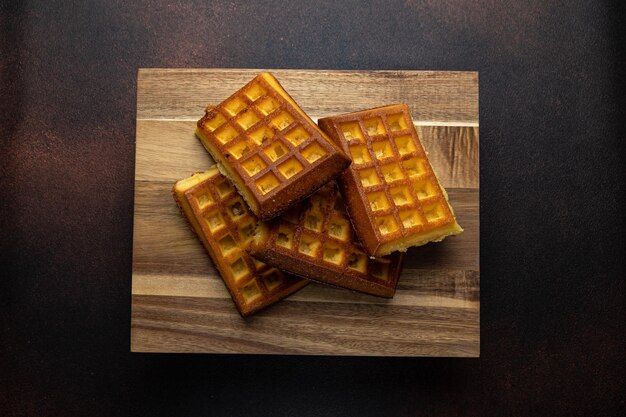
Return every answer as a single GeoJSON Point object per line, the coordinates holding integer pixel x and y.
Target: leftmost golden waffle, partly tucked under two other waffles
{"type": "Point", "coordinates": [225, 226]}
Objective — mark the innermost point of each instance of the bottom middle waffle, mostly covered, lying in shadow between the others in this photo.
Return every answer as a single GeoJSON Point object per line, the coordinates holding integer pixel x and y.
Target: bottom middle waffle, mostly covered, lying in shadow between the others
{"type": "Point", "coordinates": [315, 241]}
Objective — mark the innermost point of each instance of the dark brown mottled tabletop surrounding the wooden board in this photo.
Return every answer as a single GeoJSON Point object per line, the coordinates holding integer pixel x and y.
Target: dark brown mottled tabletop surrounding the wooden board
{"type": "Point", "coordinates": [552, 205]}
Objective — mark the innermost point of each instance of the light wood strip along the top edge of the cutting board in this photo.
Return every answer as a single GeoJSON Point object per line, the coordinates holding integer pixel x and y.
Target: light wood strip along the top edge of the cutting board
{"type": "Point", "coordinates": [433, 96]}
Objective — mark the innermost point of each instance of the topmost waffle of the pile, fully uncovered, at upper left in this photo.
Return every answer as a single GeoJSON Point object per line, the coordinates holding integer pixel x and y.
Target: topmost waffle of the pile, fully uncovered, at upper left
{"type": "Point", "coordinates": [269, 148]}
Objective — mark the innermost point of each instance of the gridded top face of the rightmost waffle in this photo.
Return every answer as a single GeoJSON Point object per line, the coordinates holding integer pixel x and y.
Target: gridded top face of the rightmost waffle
{"type": "Point", "coordinates": [398, 186]}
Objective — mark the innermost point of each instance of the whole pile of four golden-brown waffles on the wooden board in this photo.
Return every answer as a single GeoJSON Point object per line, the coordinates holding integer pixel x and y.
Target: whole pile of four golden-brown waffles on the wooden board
{"type": "Point", "coordinates": [290, 202]}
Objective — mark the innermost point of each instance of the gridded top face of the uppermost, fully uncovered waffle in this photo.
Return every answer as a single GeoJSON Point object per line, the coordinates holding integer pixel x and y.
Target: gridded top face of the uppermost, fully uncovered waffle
{"type": "Point", "coordinates": [266, 140]}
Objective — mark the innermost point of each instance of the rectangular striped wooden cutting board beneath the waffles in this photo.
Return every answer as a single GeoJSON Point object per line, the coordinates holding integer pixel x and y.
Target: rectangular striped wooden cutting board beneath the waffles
{"type": "Point", "coordinates": [179, 303]}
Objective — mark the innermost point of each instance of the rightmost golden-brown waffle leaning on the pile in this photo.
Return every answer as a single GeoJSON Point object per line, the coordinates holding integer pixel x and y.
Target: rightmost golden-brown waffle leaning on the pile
{"type": "Point", "coordinates": [393, 196]}
